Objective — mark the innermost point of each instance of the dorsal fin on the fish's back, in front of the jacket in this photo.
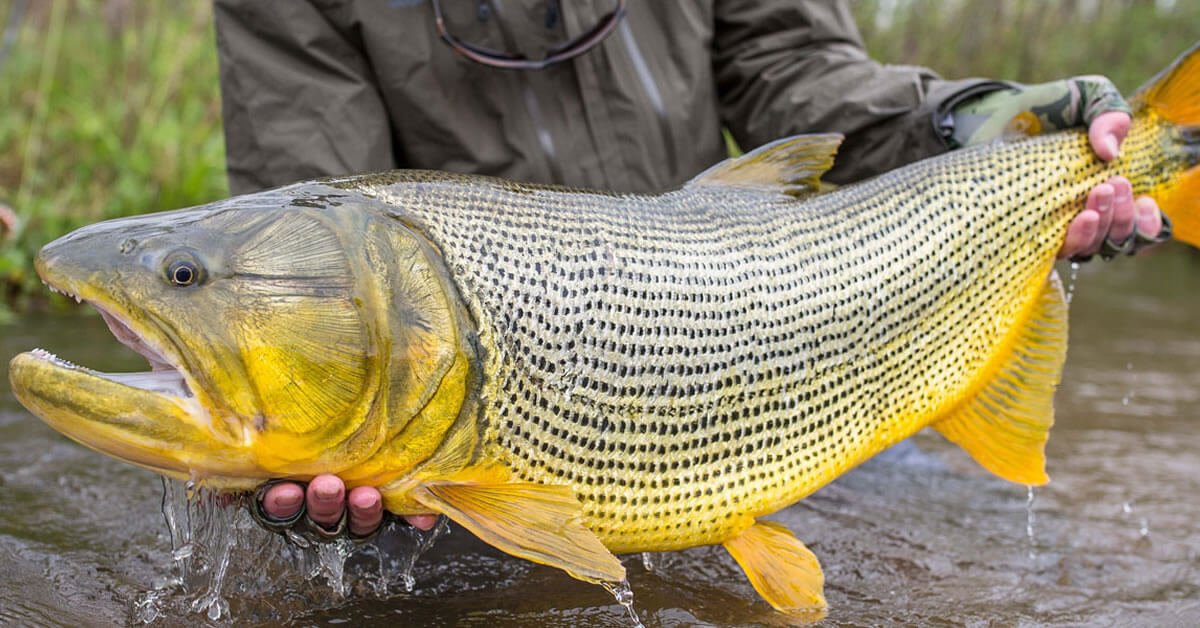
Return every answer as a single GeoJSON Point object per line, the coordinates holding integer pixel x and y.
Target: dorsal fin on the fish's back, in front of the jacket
{"type": "Point", "coordinates": [791, 166]}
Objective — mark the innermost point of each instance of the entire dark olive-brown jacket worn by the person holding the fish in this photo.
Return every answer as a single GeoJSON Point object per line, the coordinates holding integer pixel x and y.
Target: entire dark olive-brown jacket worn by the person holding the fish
{"type": "Point", "coordinates": [332, 87]}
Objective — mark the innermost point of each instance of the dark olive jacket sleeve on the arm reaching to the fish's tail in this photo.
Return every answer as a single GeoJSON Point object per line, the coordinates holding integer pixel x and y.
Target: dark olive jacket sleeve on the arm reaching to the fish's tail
{"type": "Point", "coordinates": [787, 68]}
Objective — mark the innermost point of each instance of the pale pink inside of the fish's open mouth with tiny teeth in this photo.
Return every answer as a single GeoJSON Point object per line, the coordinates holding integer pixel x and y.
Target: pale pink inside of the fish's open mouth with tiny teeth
{"type": "Point", "coordinates": [164, 378]}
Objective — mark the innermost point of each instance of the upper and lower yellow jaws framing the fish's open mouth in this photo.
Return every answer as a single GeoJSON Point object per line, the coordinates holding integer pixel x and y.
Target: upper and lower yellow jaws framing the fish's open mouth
{"type": "Point", "coordinates": [159, 420]}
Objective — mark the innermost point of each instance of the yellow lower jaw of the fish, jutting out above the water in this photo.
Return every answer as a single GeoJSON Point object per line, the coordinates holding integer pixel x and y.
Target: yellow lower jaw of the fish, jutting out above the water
{"type": "Point", "coordinates": [160, 430]}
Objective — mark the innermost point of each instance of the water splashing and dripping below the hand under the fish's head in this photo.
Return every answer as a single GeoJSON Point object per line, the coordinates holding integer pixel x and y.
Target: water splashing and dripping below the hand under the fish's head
{"type": "Point", "coordinates": [224, 567]}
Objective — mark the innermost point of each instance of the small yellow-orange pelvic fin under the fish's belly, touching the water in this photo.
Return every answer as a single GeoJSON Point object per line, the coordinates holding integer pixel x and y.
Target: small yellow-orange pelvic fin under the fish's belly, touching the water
{"type": "Point", "coordinates": [782, 570]}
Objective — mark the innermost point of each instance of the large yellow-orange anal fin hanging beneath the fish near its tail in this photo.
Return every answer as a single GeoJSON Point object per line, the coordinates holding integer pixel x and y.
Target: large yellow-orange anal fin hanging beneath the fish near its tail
{"type": "Point", "coordinates": [1006, 426]}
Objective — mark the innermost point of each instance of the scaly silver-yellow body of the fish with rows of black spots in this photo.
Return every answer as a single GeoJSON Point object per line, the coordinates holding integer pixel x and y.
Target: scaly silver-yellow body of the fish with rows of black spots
{"type": "Point", "coordinates": [691, 361]}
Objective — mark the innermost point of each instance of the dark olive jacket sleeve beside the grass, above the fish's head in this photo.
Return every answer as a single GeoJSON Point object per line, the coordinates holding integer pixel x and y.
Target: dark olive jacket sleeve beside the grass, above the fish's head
{"type": "Point", "coordinates": [298, 98]}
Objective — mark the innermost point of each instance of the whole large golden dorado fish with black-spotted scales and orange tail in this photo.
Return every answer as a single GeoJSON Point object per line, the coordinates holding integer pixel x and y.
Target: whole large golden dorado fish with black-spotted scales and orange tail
{"type": "Point", "coordinates": [573, 374]}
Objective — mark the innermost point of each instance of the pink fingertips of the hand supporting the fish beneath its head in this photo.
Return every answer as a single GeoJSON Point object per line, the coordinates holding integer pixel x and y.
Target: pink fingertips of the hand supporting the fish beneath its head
{"type": "Point", "coordinates": [326, 501]}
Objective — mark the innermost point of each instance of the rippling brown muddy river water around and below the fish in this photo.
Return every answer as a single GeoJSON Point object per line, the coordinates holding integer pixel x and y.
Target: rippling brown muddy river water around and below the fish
{"type": "Point", "coordinates": [919, 536]}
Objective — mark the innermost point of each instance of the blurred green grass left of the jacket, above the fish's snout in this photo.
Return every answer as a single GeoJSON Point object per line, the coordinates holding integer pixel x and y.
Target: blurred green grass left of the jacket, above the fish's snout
{"type": "Point", "coordinates": [107, 109]}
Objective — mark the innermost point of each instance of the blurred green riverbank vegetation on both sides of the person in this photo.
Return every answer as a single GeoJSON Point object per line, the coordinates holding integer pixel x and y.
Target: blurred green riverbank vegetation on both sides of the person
{"type": "Point", "coordinates": [111, 107]}
